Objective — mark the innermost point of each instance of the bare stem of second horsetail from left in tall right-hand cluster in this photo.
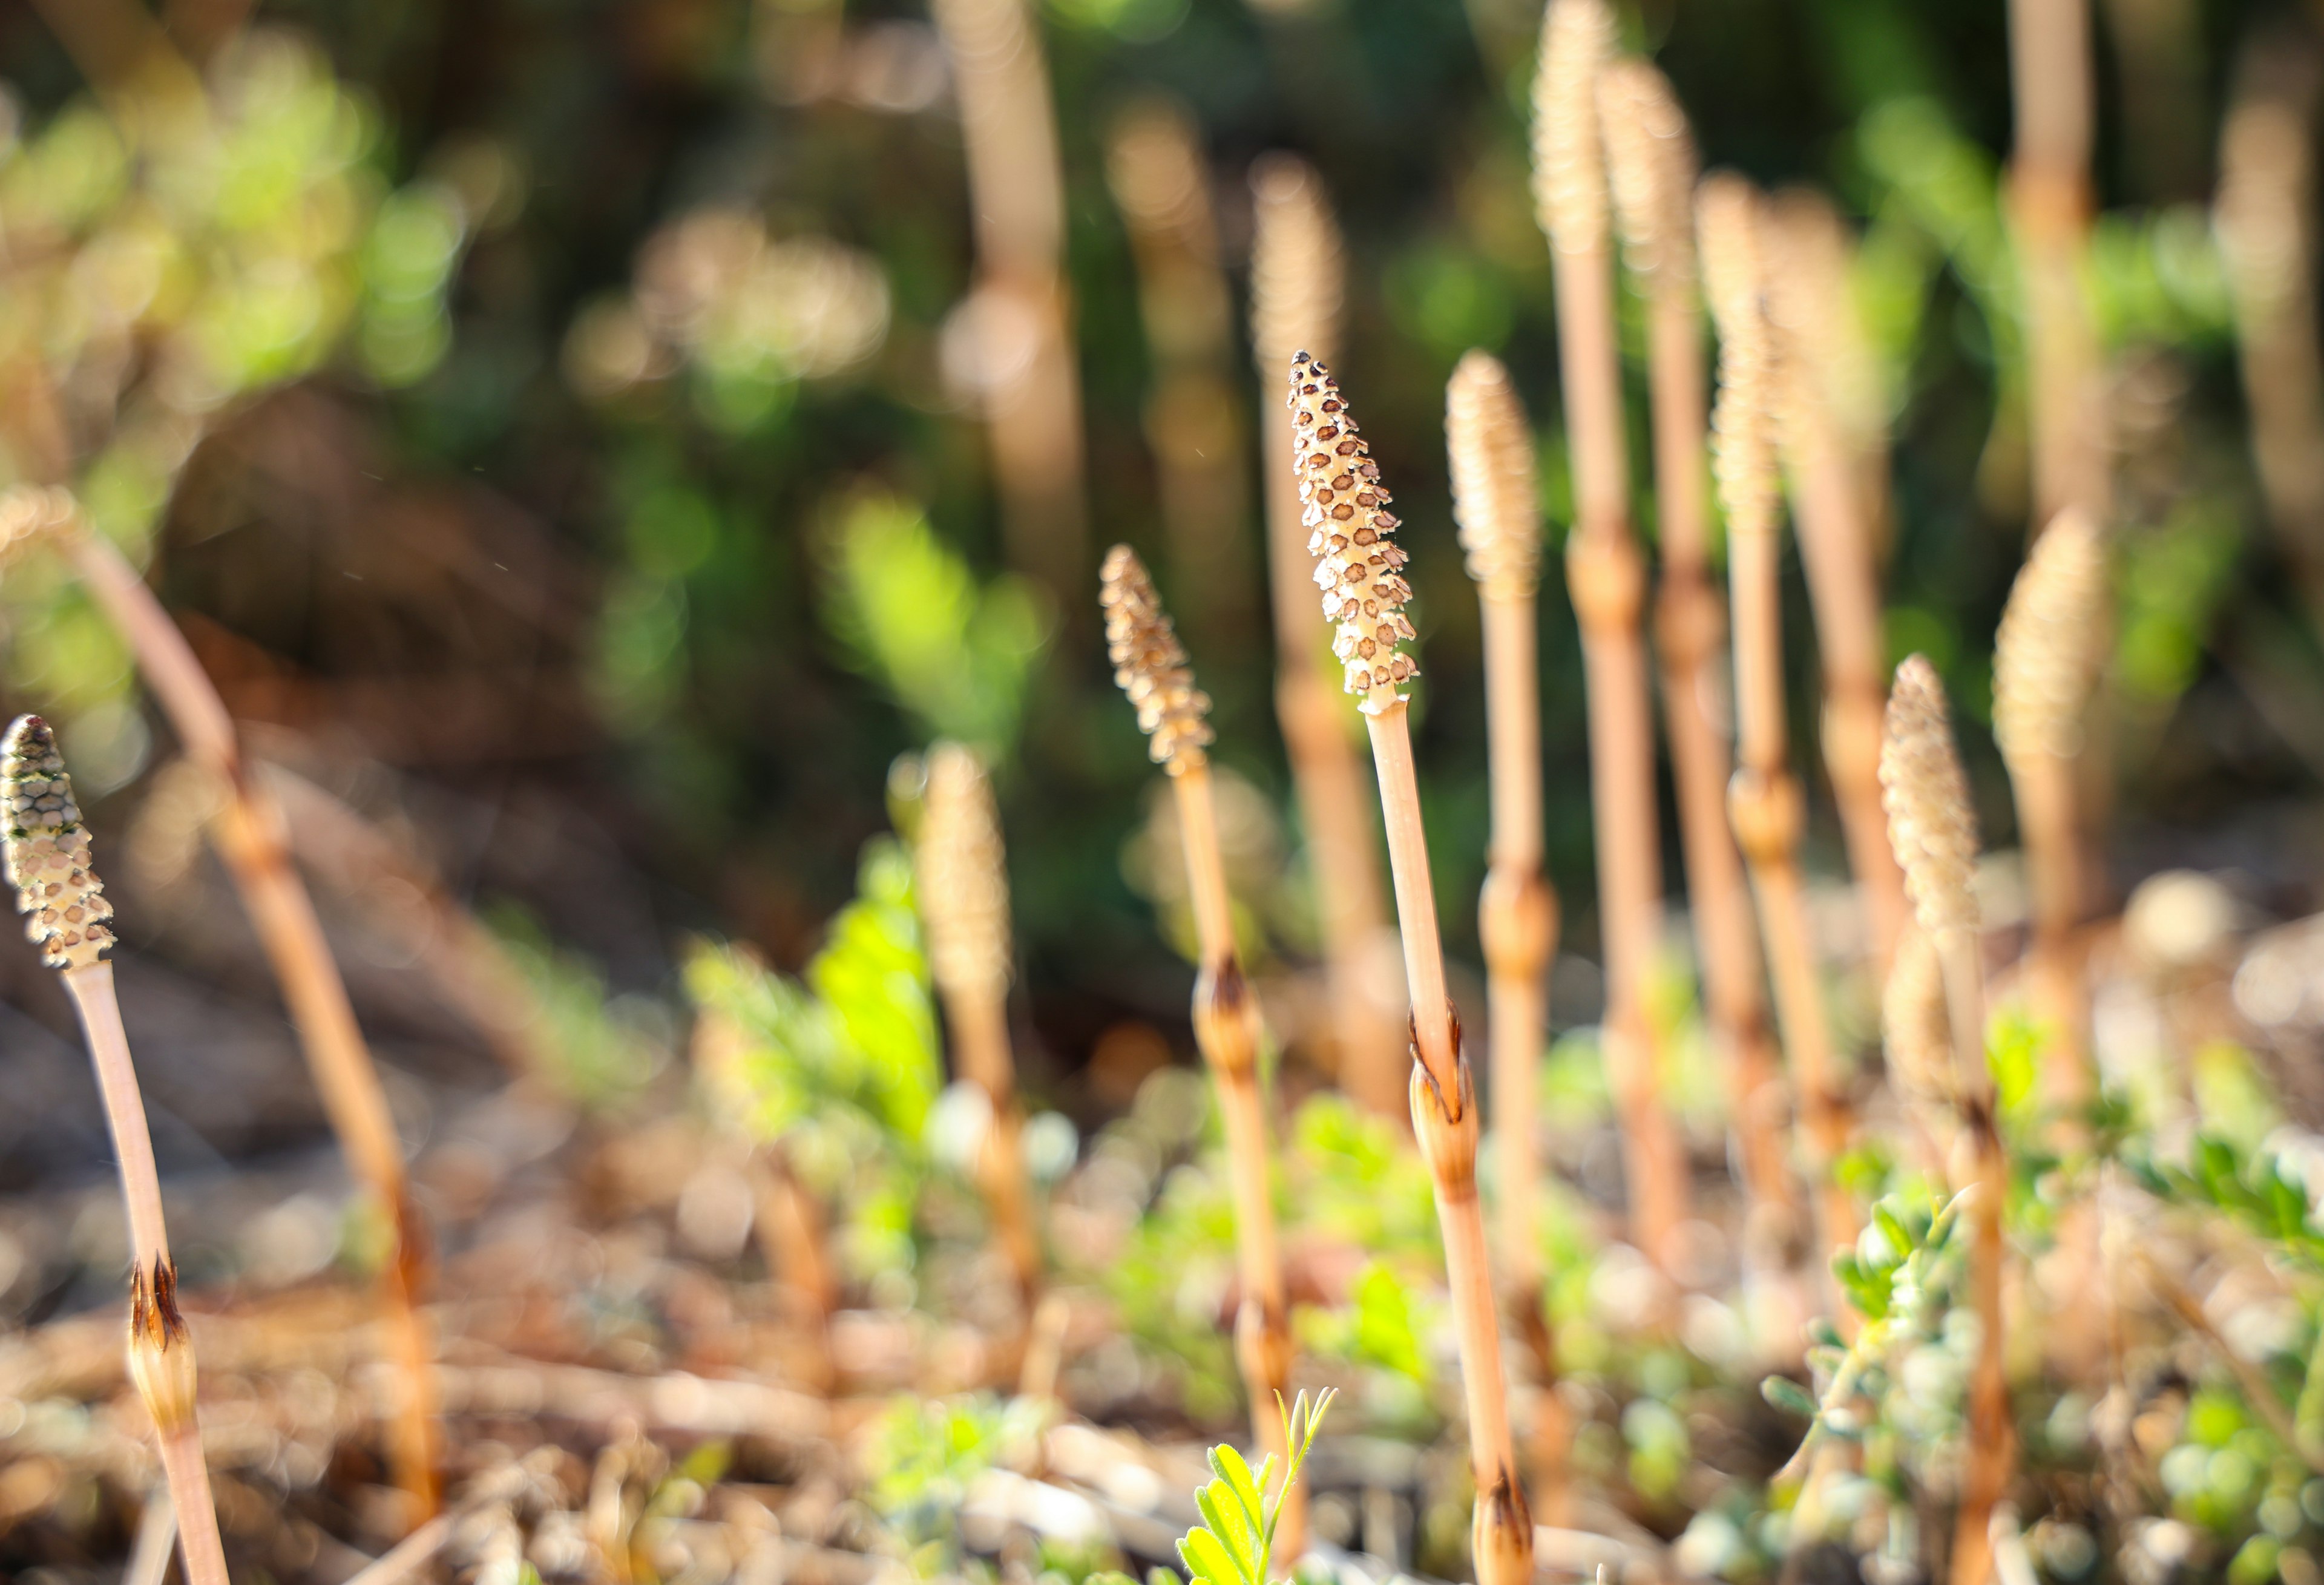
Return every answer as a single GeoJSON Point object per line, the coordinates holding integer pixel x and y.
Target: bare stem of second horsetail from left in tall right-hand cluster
{"type": "Point", "coordinates": [1691, 624]}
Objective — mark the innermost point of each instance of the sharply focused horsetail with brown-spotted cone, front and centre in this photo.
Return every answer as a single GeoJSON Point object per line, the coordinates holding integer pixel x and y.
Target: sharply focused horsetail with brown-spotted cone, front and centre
{"type": "Point", "coordinates": [1361, 573]}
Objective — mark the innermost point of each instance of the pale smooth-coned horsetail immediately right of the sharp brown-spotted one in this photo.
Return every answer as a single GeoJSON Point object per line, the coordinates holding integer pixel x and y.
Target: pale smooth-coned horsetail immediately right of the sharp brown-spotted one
{"type": "Point", "coordinates": [1498, 508]}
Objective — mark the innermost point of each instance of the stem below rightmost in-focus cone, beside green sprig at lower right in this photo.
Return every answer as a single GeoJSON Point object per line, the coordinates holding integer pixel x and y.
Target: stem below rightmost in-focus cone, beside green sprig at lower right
{"type": "Point", "coordinates": [1993, 1451]}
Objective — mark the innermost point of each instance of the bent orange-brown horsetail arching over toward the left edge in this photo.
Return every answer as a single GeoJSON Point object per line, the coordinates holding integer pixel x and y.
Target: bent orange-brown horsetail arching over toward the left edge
{"type": "Point", "coordinates": [250, 838]}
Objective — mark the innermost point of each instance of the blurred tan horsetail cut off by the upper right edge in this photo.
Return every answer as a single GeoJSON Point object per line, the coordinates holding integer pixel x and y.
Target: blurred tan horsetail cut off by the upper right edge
{"type": "Point", "coordinates": [2267, 194]}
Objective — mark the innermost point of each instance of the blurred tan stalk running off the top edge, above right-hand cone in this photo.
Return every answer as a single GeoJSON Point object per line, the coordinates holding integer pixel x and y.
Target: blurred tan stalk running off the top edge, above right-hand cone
{"type": "Point", "coordinates": [2051, 203]}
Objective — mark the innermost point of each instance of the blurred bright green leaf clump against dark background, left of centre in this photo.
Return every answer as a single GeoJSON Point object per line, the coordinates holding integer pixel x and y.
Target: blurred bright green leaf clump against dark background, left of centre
{"type": "Point", "coordinates": [914, 619]}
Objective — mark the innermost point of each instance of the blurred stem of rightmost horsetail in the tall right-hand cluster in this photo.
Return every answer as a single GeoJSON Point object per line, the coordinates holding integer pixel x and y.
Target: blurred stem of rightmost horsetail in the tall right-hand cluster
{"type": "Point", "coordinates": [1844, 589]}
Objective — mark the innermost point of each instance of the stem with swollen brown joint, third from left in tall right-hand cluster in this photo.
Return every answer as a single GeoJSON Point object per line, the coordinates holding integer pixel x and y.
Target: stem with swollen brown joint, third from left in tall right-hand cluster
{"type": "Point", "coordinates": [1767, 810]}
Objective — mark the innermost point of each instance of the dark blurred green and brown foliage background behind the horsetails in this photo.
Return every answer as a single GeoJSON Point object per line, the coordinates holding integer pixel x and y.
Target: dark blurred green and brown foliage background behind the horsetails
{"type": "Point", "coordinates": [619, 575]}
